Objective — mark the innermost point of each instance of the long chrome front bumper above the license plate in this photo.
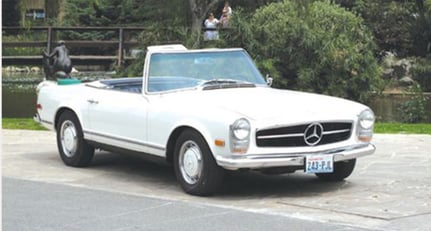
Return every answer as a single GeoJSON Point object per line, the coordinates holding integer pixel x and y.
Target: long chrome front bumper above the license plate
{"type": "Point", "coordinates": [292, 159]}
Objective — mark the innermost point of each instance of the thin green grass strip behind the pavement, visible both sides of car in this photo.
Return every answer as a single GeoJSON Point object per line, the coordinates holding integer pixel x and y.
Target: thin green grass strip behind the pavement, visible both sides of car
{"type": "Point", "coordinates": [389, 128]}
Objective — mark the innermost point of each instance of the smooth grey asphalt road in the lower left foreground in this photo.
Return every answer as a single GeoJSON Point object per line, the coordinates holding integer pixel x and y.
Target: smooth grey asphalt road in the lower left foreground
{"type": "Point", "coordinates": [31, 205]}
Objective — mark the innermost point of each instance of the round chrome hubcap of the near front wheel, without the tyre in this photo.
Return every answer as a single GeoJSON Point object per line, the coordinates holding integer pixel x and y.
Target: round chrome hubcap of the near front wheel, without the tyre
{"type": "Point", "coordinates": [190, 162]}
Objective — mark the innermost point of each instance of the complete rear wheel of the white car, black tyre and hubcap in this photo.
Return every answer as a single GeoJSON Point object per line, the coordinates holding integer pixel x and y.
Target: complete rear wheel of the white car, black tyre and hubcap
{"type": "Point", "coordinates": [73, 149]}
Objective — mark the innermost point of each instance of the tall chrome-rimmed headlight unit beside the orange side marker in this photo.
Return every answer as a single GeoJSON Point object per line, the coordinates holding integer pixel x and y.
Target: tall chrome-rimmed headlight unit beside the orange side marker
{"type": "Point", "coordinates": [240, 132]}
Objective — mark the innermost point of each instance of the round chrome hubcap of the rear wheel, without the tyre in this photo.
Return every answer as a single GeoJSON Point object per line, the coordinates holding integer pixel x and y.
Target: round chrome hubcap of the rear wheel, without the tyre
{"type": "Point", "coordinates": [68, 138]}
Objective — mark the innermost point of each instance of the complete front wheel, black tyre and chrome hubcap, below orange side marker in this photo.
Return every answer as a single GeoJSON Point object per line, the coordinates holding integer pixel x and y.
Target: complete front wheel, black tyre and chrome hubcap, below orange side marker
{"type": "Point", "coordinates": [195, 166]}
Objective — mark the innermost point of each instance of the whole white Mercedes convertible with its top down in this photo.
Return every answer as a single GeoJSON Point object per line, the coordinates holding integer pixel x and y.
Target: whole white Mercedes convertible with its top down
{"type": "Point", "coordinates": [204, 112]}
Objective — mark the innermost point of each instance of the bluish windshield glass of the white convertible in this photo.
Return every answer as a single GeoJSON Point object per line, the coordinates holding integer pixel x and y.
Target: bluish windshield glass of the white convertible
{"type": "Point", "coordinates": [172, 71]}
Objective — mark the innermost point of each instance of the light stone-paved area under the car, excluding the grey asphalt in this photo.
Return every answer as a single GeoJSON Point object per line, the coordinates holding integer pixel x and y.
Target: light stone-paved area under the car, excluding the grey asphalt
{"type": "Point", "coordinates": [390, 190]}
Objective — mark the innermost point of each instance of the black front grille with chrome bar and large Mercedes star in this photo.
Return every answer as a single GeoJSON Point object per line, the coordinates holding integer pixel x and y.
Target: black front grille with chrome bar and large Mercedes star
{"type": "Point", "coordinates": [312, 134]}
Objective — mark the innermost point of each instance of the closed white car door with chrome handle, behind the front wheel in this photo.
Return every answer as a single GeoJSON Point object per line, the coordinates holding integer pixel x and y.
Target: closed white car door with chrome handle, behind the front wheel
{"type": "Point", "coordinates": [118, 118]}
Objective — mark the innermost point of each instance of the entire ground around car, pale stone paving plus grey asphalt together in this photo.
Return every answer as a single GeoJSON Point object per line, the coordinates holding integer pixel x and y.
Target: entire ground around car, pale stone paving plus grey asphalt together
{"type": "Point", "coordinates": [390, 190]}
